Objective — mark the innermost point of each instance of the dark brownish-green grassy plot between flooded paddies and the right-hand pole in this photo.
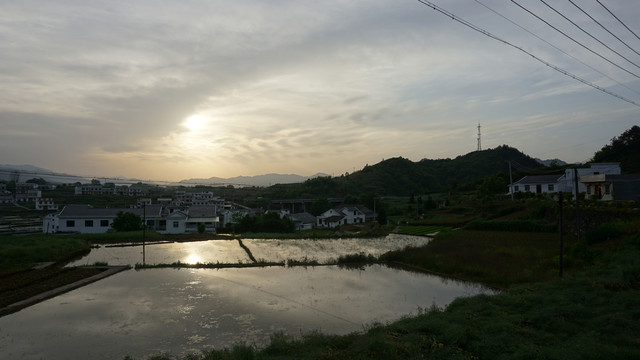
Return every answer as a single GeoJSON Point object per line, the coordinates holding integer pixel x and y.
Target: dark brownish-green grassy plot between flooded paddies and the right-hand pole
{"type": "Point", "coordinates": [495, 258]}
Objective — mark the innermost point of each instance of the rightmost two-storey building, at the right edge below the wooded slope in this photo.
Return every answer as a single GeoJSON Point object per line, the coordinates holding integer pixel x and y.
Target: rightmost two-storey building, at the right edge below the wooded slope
{"type": "Point", "coordinates": [605, 187]}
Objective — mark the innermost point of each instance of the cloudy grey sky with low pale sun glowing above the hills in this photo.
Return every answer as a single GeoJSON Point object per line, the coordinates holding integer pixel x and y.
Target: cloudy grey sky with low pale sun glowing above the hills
{"type": "Point", "coordinates": [172, 90]}
